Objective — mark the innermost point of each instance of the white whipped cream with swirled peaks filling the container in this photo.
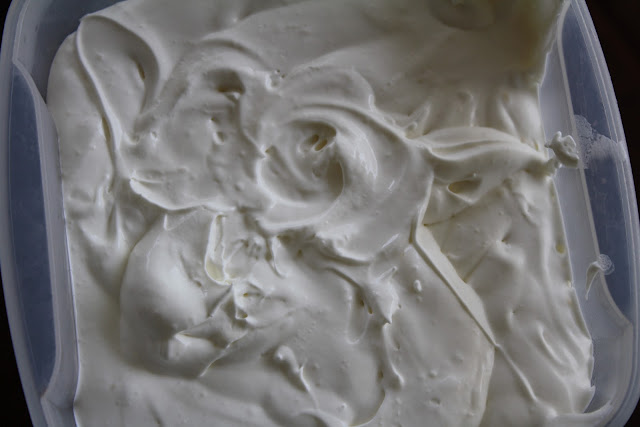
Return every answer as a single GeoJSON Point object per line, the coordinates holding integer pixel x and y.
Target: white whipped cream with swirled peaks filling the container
{"type": "Point", "coordinates": [312, 213]}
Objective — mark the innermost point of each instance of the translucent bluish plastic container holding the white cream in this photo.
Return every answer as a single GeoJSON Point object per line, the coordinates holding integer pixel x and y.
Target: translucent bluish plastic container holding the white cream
{"type": "Point", "coordinates": [598, 203]}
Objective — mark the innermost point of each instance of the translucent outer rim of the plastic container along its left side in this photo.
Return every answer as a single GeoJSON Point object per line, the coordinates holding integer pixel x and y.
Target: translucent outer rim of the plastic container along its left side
{"type": "Point", "coordinates": [7, 258]}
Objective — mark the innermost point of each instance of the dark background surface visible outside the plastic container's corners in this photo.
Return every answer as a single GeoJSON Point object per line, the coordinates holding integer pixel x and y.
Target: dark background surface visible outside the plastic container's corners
{"type": "Point", "coordinates": [618, 28]}
